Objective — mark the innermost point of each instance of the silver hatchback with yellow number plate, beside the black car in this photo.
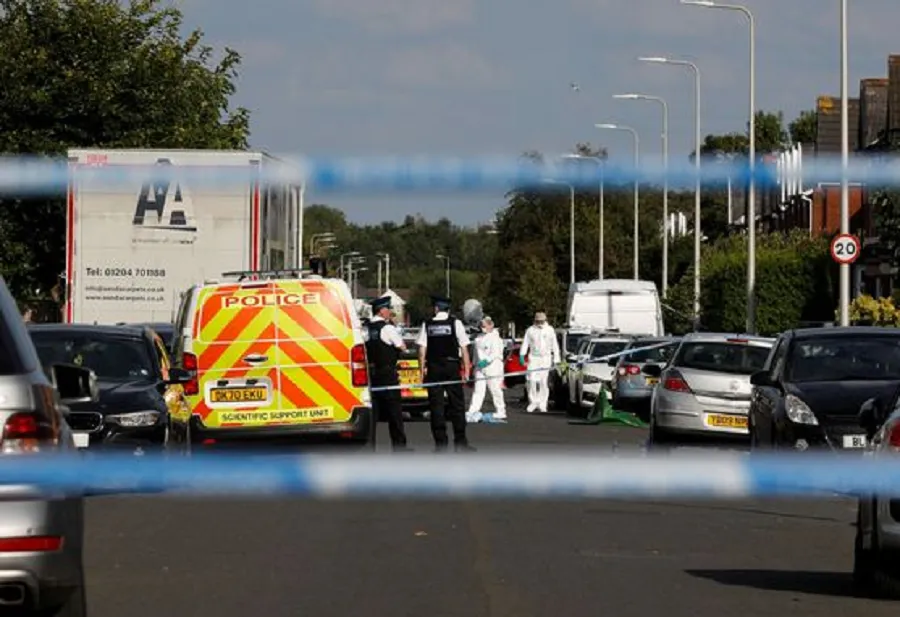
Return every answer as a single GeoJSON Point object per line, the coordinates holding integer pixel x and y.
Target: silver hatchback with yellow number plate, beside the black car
{"type": "Point", "coordinates": [705, 388]}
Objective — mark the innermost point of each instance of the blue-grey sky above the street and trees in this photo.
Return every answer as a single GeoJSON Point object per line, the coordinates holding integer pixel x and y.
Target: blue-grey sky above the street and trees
{"type": "Point", "coordinates": [489, 77]}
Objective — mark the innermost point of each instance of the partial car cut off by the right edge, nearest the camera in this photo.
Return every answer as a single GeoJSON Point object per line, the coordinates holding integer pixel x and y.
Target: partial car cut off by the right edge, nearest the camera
{"type": "Point", "coordinates": [877, 542]}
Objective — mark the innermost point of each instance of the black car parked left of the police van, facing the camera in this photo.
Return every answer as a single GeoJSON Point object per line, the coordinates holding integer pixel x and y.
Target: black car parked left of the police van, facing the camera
{"type": "Point", "coordinates": [130, 366]}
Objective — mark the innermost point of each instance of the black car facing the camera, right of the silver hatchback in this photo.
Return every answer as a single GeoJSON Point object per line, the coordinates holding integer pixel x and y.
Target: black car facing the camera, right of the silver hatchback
{"type": "Point", "coordinates": [815, 380]}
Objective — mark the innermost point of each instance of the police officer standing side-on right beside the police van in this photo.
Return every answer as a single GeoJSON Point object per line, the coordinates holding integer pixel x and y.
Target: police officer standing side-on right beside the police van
{"type": "Point", "coordinates": [383, 346]}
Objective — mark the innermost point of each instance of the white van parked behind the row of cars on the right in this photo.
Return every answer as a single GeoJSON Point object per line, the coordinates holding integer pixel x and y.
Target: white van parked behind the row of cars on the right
{"type": "Point", "coordinates": [616, 305]}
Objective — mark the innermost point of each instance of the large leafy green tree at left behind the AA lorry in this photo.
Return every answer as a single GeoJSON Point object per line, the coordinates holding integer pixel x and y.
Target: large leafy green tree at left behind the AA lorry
{"type": "Point", "coordinates": [96, 73]}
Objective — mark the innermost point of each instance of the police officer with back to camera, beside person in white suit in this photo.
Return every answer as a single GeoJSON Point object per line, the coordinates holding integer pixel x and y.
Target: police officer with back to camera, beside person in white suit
{"type": "Point", "coordinates": [444, 356]}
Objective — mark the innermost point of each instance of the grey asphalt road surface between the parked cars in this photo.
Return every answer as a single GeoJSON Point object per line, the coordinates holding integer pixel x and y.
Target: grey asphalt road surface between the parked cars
{"type": "Point", "coordinates": [153, 556]}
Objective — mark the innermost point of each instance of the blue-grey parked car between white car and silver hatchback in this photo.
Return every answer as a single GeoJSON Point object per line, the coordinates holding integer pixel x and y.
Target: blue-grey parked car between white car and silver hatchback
{"type": "Point", "coordinates": [631, 389]}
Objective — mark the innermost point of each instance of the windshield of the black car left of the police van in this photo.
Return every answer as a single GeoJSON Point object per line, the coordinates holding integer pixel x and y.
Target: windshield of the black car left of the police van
{"type": "Point", "coordinates": [111, 357]}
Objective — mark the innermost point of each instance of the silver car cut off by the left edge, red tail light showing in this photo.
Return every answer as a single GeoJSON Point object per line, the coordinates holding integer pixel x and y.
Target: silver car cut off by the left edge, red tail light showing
{"type": "Point", "coordinates": [41, 569]}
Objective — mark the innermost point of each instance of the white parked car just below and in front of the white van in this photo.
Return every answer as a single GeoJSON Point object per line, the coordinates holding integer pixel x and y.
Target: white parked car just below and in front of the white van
{"type": "Point", "coordinates": [591, 372]}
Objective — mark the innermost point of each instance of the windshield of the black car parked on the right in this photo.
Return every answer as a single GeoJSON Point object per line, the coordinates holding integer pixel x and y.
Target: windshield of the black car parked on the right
{"type": "Point", "coordinates": [845, 359]}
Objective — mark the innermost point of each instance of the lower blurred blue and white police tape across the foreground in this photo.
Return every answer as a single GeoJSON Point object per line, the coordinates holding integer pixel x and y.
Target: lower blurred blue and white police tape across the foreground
{"type": "Point", "coordinates": [533, 475]}
